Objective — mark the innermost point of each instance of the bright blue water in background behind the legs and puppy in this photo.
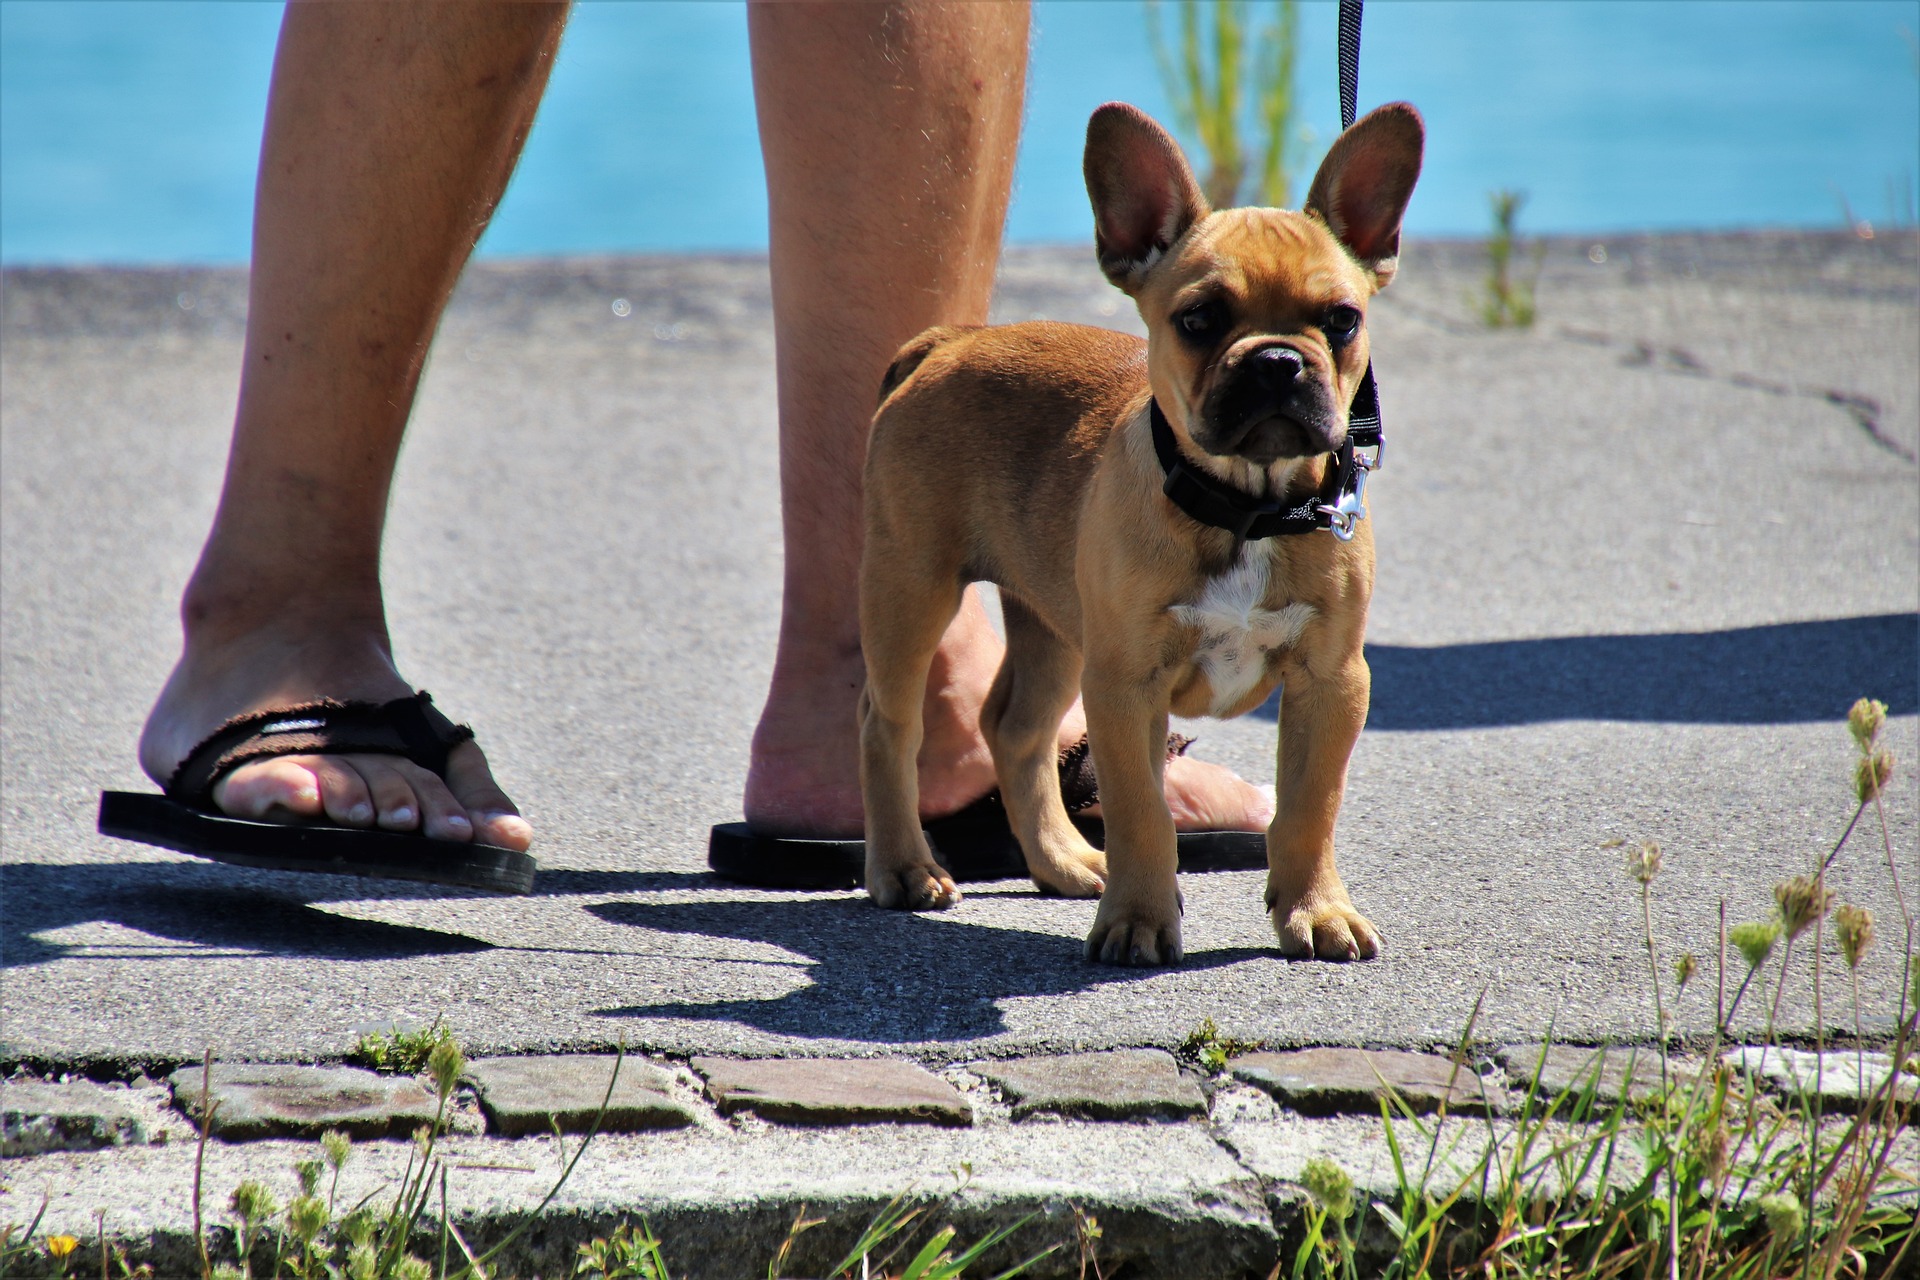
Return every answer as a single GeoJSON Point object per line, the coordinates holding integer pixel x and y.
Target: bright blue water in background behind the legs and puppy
{"type": "Point", "coordinates": [130, 131]}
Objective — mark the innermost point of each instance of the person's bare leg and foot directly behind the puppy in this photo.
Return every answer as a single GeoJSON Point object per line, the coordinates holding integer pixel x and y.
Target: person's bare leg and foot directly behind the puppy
{"type": "Point", "coordinates": [890, 137]}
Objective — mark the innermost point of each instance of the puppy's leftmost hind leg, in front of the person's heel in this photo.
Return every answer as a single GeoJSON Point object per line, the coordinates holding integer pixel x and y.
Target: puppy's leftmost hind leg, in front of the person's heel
{"type": "Point", "coordinates": [903, 615]}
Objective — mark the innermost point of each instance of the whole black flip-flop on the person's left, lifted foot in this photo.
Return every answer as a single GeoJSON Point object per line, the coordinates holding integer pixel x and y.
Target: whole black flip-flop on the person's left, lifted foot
{"type": "Point", "coordinates": [185, 818]}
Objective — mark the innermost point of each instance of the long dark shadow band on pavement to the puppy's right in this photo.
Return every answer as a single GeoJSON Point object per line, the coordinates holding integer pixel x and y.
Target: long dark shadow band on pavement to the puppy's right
{"type": "Point", "coordinates": [1790, 673]}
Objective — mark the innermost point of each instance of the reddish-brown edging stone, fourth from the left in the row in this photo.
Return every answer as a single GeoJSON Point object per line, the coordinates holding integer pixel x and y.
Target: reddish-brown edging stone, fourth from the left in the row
{"type": "Point", "coordinates": [832, 1091]}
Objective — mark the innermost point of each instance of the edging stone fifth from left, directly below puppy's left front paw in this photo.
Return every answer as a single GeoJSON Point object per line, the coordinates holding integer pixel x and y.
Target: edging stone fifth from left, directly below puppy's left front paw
{"type": "Point", "coordinates": [1116, 1085]}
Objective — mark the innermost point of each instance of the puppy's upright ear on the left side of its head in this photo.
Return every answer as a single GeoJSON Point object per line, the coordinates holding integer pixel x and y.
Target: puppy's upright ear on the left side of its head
{"type": "Point", "coordinates": [1143, 193]}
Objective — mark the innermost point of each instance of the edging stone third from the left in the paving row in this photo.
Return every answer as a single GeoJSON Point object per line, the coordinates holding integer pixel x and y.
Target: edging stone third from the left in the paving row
{"type": "Point", "coordinates": [523, 1095]}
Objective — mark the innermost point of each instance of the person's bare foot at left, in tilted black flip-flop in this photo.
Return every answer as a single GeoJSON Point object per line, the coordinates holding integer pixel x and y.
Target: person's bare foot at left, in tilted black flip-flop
{"type": "Point", "coordinates": [228, 675]}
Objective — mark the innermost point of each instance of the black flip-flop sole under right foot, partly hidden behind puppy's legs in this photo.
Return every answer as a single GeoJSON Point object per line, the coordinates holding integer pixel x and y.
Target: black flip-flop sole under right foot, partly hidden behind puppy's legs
{"type": "Point", "coordinates": [971, 845]}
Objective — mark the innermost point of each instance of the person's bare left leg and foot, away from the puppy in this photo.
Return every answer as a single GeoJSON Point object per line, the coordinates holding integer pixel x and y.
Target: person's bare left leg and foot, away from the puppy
{"type": "Point", "coordinates": [391, 135]}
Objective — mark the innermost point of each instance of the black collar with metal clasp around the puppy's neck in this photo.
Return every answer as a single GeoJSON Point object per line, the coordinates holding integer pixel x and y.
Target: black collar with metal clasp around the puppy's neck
{"type": "Point", "coordinates": [1253, 519]}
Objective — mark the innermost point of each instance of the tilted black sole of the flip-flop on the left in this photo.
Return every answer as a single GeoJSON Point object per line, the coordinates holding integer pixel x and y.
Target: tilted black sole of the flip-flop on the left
{"type": "Point", "coordinates": [327, 851]}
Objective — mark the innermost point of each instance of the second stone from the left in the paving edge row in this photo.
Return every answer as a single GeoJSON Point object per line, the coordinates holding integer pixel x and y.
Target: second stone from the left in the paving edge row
{"type": "Point", "coordinates": [276, 1101]}
